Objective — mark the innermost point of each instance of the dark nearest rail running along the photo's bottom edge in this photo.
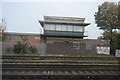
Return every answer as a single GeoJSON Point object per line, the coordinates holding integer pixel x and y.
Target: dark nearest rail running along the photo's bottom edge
{"type": "Point", "coordinates": [61, 77]}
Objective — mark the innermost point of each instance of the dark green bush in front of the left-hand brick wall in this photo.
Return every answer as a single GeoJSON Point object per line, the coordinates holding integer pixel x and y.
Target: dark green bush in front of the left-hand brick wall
{"type": "Point", "coordinates": [24, 48]}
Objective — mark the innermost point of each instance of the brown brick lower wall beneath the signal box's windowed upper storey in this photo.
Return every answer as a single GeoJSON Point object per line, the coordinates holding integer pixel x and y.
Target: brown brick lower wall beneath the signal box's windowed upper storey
{"type": "Point", "coordinates": [59, 46]}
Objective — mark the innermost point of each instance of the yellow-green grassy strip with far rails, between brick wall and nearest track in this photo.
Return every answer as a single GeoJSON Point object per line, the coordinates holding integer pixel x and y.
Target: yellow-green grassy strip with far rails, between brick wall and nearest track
{"type": "Point", "coordinates": [60, 59]}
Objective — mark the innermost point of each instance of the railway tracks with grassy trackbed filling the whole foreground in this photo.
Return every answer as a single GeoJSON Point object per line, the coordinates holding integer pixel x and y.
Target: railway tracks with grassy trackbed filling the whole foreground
{"type": "Point", "coordinates": [55, 68]}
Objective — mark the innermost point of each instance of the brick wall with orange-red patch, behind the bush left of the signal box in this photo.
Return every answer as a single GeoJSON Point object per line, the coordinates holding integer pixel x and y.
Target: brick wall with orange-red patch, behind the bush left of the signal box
{"type": "Point", "coordinates": [12, 38]}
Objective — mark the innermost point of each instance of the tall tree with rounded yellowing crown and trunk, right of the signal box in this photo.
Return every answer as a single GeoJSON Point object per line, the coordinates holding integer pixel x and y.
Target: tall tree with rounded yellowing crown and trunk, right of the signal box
{"type": "Point", "coordinates": [107, 19]}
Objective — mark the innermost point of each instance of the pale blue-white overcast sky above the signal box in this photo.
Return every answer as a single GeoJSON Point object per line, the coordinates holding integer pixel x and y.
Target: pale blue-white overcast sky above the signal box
{"type": "Point", "coordinates": [23, 16]}
